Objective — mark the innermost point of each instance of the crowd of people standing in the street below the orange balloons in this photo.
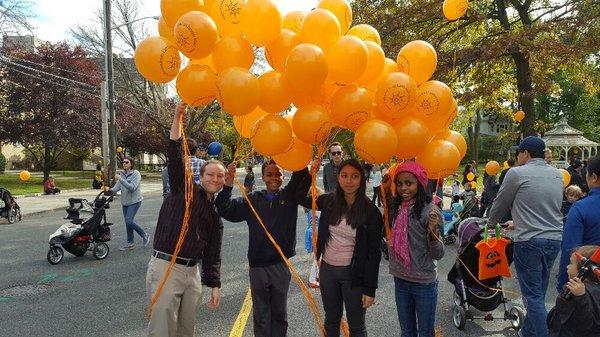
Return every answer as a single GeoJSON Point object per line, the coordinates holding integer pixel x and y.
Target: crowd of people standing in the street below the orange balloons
{"type": "Point", "coordinates": [547, 220]}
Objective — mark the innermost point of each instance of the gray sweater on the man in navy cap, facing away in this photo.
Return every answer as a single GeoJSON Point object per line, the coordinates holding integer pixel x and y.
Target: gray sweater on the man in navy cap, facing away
{"type": "Point", "coordinates": [533, 192]}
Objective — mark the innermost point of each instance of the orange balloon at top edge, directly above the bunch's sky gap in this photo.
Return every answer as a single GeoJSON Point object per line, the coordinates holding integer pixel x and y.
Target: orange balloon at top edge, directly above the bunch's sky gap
{"type": "Point", "coordinates": [261, 22]}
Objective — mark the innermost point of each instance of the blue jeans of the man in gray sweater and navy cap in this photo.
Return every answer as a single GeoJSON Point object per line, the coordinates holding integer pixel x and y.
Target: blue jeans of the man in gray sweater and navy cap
{"type": "Point", "coordinates": [533, 262]}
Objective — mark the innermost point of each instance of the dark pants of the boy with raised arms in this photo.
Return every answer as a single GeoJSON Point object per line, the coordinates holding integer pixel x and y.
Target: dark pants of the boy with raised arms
{"type": "Point", "coordinates": [269, 287]}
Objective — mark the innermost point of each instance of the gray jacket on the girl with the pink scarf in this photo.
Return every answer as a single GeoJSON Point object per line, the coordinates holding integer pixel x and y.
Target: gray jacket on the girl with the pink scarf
{"type": "Point", "coordinates": [423, 251]}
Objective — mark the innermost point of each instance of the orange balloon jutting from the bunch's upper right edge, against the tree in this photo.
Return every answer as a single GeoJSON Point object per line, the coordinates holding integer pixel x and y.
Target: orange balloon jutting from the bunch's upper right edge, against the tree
{"type": "Point", "coordinates": [418, 59]}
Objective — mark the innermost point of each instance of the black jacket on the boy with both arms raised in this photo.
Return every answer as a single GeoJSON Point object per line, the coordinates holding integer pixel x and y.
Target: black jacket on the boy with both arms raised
{"type": "Point", "coordinates": [279, 216]}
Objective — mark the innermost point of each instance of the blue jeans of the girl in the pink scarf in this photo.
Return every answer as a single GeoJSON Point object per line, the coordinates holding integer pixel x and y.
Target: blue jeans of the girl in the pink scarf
{"type": "Point", "coordinates": [416, 303]}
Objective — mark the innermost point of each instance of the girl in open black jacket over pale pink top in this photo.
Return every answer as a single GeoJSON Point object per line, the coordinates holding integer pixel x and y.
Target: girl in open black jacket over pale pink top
{"type": "Point", "coordinates": [348, 248]}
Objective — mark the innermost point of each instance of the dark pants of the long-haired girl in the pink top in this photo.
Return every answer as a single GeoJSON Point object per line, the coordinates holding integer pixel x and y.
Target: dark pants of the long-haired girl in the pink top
{"type": "Point", "coordinates": [336, 291]}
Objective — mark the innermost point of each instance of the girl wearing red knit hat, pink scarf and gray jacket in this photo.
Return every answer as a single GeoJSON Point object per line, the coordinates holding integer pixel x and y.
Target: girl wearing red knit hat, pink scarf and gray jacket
{"type": "Point", "coordinates": [413, 249]}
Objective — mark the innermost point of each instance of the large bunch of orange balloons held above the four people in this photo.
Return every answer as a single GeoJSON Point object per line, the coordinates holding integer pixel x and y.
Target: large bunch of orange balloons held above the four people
{"type": "Point", "coordinates": [334, 73]}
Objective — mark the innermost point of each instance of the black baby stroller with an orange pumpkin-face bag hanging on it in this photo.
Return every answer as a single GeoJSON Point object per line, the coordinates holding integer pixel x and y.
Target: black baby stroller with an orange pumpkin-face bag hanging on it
{"type": "Point", "coordinates": [486, 295]}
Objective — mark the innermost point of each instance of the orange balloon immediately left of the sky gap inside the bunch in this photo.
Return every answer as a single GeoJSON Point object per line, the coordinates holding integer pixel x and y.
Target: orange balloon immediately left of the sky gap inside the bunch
{"type": "Point", "coordinates": [233, 51]}
